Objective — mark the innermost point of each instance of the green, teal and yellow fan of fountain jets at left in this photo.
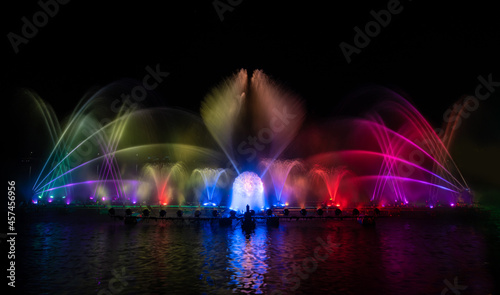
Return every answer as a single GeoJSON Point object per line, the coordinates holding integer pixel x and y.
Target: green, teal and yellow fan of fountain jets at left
{"type": "Point", "coordinates": [100, 152]}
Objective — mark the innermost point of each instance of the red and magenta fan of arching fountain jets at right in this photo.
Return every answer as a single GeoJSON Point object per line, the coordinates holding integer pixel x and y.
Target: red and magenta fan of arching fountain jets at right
{"type": "Point", "coordinates": [395, 155]}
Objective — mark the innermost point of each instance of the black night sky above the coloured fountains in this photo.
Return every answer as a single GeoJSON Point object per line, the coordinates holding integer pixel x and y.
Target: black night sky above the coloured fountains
{"type": "Point", "coordinates": [432, 51]}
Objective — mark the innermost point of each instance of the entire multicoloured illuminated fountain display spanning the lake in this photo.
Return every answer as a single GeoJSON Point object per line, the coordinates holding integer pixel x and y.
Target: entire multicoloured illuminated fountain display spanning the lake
{"type": "Point", "coordinates": [233, 153]}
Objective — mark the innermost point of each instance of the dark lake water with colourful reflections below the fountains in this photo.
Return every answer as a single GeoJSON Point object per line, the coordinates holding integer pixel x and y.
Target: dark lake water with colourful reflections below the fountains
{"type": "Point", "coordinates": [71, 254]}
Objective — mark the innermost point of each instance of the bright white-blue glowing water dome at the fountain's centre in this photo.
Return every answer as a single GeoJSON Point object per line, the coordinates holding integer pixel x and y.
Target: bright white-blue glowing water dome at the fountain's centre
{"type": "Point", "coordinates": [248, 189]}
